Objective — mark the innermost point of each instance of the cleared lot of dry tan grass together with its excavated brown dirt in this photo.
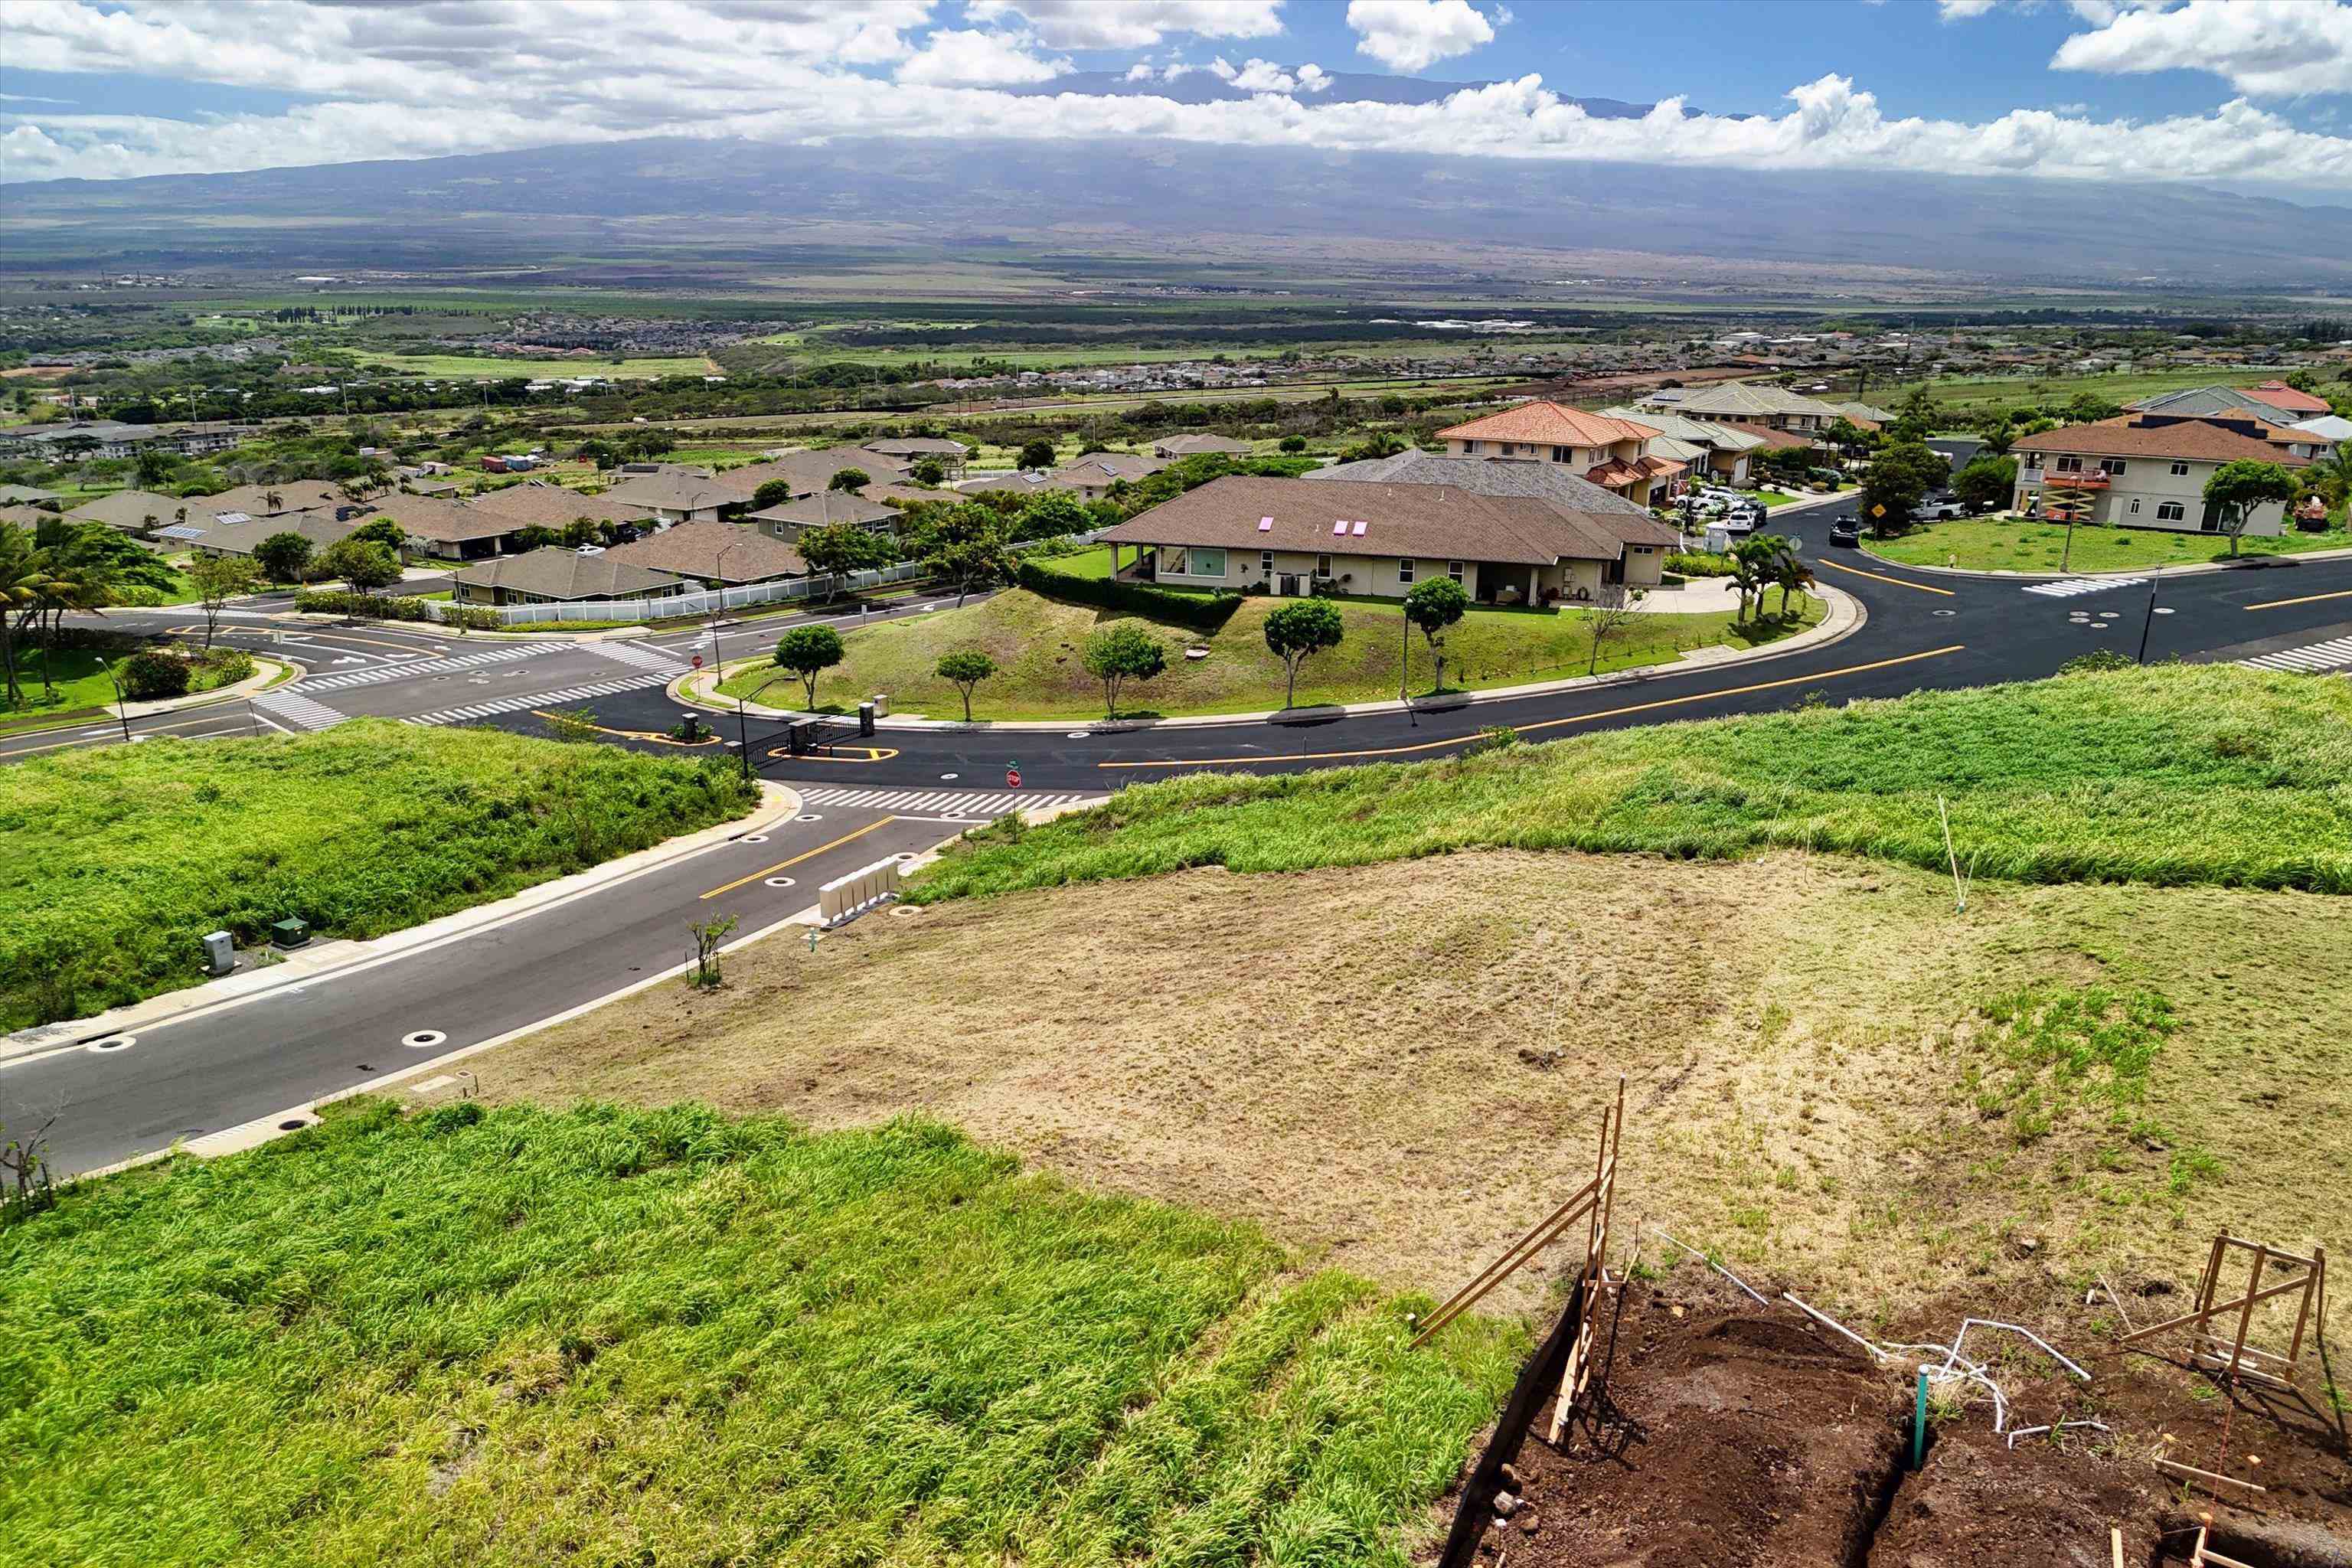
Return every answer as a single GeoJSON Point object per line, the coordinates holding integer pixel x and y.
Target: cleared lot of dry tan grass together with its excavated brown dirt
{"type": "Point", "coordinates": [1838, 1085]}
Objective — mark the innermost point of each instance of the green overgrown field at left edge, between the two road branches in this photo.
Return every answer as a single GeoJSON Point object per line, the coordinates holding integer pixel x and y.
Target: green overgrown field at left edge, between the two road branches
{"type": "Point", "coordinates": [116, 862]}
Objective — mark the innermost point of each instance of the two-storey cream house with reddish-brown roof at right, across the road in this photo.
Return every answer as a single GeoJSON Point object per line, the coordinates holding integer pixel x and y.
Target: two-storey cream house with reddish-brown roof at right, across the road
{"type": "Point", "coordinates": [2144, 471]}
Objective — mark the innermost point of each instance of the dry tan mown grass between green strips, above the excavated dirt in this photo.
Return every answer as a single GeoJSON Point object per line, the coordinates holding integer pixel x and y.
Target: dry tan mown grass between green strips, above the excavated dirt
{"type": "Point", "coordinates": [1339, 1057]}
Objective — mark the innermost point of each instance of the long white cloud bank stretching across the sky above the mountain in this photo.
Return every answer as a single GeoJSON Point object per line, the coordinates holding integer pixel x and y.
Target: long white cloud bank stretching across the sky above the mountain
{"type": "Point", "coordinates": [521, 74]}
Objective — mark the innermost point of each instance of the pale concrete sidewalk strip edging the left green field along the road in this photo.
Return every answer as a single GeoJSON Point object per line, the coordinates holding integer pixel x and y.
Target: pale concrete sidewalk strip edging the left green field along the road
{"type": "Point", "coordinates": [777, 808]}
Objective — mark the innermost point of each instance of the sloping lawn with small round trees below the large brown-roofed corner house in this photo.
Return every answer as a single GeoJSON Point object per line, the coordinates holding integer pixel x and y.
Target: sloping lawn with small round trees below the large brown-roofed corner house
{"type": "Point", "coordinates": [1036, 645]}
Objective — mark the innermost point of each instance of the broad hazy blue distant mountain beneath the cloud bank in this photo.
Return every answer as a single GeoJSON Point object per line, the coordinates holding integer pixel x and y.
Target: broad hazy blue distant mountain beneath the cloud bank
{"type": "Point", "coordinates": [1168, 206]}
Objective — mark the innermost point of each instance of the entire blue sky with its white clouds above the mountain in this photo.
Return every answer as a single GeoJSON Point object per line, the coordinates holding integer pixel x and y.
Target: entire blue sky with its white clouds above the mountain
{"type": "Point", "coordinates": [2238, 93]}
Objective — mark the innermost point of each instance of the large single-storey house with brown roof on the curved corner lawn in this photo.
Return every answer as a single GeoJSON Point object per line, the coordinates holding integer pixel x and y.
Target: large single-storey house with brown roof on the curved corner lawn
{"type": "Point", "coordinates": [1379, 540]}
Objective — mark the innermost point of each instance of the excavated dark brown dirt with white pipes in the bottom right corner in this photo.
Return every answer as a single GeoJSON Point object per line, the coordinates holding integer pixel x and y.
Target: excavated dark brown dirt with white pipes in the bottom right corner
{"type": "Point", "coordinates": [1749, 1438]}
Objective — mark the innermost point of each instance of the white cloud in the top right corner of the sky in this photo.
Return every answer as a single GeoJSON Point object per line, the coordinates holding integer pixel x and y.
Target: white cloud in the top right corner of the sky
{"type": "Point", "coordinates": [2261, 48]}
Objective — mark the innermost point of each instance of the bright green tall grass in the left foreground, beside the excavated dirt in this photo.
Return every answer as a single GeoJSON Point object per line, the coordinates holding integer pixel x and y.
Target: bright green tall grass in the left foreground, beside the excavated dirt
{"type": "Point", "coordinates": [674, 1339]}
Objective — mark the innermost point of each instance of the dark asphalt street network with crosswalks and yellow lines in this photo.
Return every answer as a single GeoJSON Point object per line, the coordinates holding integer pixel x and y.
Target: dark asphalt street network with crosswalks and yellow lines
{"type": "Point", "coordinates": [909, 789]}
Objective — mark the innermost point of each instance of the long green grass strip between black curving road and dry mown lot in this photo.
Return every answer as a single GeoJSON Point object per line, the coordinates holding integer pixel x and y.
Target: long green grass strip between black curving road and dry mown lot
{"type": "Point", "coordinates": [2174, 775]}
